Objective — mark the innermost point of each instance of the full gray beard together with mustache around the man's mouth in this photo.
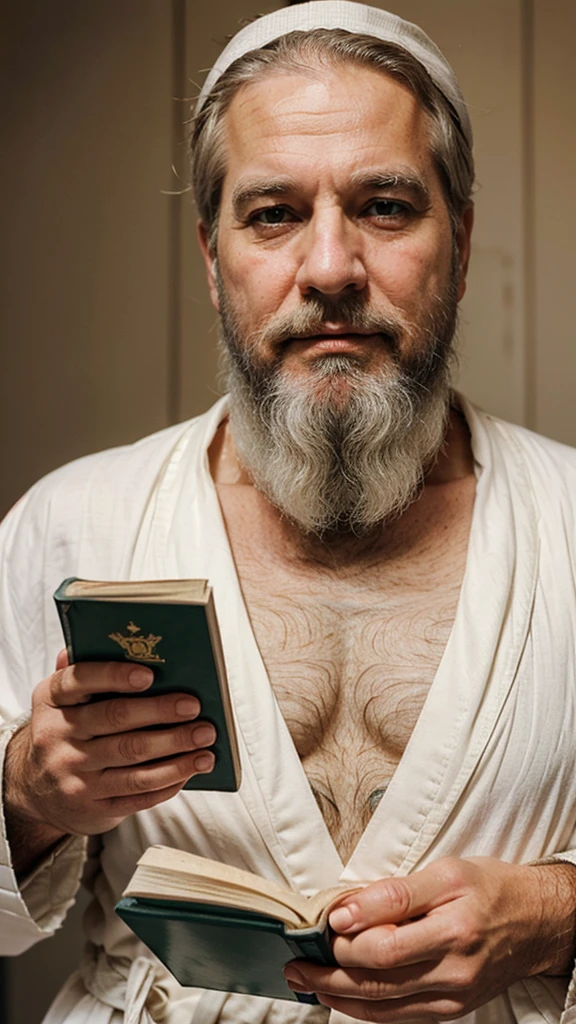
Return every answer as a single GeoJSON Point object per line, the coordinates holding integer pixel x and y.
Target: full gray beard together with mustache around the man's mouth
{"type": "Point", "coordinates": [345, 450]}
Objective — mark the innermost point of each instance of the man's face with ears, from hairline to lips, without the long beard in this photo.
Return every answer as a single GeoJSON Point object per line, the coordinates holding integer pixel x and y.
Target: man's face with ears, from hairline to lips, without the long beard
{"type": "Point", "coordinates": [332, 194]}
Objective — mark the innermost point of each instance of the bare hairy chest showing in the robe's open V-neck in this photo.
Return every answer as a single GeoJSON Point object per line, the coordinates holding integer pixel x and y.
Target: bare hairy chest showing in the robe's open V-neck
{"type": "Point", "coordinates": [351, 654]}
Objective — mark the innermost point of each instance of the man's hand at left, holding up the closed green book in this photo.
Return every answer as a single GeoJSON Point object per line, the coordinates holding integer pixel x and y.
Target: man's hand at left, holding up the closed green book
{"type": "Point", "coordinates": [81, 767]}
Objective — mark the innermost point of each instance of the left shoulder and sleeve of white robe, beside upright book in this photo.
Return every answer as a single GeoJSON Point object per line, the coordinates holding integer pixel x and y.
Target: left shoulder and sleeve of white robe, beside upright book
{"type": "Point", "coordinates": [81, 520]}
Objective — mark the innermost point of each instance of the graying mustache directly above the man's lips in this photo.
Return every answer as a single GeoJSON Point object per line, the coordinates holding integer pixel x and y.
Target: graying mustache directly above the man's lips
{"type": "Point", "coordinates": [311, 318]}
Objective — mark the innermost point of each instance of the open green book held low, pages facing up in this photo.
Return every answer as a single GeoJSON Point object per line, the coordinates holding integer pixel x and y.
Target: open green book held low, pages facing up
{"type": "Point", "coordinates": [219, 927]}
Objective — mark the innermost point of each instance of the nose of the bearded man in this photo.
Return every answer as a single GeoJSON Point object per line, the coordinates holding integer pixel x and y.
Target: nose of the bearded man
{"type": "Point", "coordinates": [331, 260]}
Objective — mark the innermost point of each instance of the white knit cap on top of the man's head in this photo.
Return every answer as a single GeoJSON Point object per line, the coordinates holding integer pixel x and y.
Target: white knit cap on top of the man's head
{"type": "Point", "coordinates": [357, 18]}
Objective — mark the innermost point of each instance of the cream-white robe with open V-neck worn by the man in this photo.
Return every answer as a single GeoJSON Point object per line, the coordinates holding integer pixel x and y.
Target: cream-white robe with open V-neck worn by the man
{"type": "Point", "coordinates": [489, 769]}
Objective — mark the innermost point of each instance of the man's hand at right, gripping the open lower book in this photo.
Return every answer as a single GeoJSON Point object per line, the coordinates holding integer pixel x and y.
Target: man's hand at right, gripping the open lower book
{"type": "Point", "coordinates": [445, 941]}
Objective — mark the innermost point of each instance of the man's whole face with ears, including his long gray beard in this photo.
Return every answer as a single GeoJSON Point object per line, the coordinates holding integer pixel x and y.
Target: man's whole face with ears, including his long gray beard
{"type": "Point", "coordinates": [337, 278]}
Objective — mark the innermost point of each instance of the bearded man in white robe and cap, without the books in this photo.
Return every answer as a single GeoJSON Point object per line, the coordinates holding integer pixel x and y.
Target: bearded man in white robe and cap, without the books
{"type": "Point", "coordinates": [393, 573]}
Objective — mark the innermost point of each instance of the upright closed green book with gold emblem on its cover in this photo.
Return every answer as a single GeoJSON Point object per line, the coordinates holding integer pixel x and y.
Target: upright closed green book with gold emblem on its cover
{"type": "Point", "coordinates": [171, 626]}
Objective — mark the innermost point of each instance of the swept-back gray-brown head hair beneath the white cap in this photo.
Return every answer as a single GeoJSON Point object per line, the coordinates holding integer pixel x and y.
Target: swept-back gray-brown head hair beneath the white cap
{"type": "Point", "coordinates": [307, 52]}
